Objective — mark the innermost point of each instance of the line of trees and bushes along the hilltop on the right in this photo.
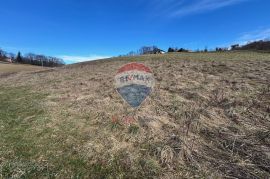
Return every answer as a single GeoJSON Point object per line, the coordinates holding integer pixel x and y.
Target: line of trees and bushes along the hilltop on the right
{"type": "Point", "coordinates": [262, 45]}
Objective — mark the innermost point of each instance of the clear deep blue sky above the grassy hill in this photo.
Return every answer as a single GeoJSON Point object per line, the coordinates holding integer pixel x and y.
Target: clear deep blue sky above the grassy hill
{"type": "Point", "coordinates": [80, 30]}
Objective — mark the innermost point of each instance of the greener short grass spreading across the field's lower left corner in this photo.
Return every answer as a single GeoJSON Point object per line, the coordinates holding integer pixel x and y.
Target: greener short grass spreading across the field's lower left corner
{"type": "Point", "coordinates": [32, 149]}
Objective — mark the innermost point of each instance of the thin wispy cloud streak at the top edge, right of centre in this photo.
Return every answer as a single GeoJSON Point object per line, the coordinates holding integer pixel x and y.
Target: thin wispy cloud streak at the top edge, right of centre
{"type": "Point", "coordinates": [180, 8]}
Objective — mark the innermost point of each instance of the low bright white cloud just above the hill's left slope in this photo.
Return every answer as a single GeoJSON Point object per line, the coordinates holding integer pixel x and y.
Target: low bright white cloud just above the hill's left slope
{"type": "Point", "coordinates": [76, 59]}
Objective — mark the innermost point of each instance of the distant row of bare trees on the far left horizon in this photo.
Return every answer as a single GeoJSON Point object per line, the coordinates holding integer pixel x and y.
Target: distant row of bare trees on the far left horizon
{"type": "Point", "coordinates": [32, 59]}
